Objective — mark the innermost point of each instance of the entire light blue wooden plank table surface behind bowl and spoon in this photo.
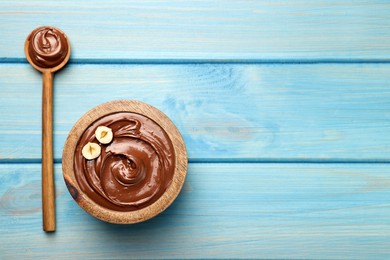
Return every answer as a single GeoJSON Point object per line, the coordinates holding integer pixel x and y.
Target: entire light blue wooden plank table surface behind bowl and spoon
{"type": "Point", "coordinates": [284, 107]}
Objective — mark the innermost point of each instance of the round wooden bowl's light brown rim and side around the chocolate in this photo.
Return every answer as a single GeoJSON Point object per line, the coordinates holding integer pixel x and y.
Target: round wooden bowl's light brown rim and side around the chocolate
{"type": "Point", "coordinates": [124, 217]}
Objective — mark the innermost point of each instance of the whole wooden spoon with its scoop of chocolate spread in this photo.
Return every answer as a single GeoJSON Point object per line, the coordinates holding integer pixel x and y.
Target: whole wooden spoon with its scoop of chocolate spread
{"type": "Point", "coordinates": [47, 49]}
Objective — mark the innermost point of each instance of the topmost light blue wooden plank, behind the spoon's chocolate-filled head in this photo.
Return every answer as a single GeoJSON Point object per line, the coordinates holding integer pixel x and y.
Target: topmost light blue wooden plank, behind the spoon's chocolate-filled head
{"type": "Point", "coordinates": [204, 29]}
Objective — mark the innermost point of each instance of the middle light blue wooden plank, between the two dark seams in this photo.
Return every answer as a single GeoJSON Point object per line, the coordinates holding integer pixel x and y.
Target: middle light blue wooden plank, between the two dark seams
{"type": "Point", "coordinates": [224, 111]}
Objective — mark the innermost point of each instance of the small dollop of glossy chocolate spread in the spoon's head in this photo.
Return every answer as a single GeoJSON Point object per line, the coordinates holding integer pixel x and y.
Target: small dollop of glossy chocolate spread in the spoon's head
{"type": "Point", "coordinates": [48, 47]}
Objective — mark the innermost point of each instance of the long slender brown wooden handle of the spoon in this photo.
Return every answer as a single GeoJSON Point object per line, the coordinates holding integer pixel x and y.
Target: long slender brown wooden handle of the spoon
{"type": "Point", "coordinates": [48, 201]}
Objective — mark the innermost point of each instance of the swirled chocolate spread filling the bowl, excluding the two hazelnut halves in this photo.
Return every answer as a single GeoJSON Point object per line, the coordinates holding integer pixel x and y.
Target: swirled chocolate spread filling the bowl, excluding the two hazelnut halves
{"type": "Point", "coordinates": [133, 170]}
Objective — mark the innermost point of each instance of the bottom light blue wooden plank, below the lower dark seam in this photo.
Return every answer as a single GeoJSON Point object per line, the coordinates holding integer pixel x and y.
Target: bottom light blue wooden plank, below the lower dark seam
{"type": "Point", "coordinates": [225, 211]}
